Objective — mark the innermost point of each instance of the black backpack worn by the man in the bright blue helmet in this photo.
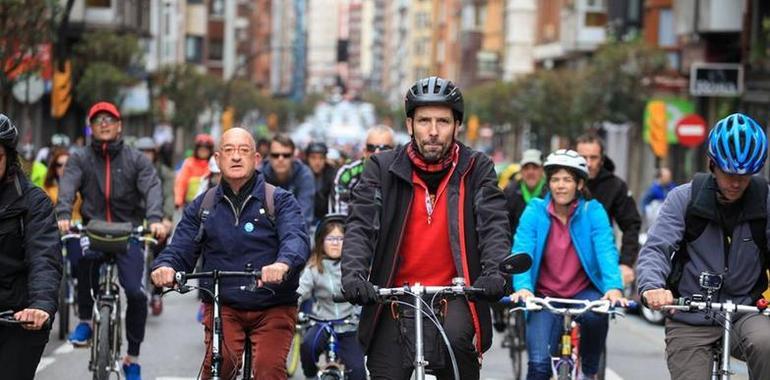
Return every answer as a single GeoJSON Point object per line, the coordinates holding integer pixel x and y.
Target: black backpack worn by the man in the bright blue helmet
{"type": "Point", "coordinates": [695, 225]}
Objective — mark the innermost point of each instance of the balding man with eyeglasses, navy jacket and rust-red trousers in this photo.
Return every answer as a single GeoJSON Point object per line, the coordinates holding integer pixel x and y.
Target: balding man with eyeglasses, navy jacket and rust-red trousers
{"type": "Point", "coordinates": [238, 231]}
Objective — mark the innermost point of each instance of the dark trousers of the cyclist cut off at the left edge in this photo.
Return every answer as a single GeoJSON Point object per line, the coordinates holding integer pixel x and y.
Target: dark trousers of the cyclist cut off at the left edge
{"type": "Point", "coordinates": [20, 352]}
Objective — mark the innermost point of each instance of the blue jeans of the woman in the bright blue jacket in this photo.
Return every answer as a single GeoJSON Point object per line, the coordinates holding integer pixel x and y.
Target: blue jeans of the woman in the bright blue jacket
{"type": "Point", "coordinates": [544, 330]}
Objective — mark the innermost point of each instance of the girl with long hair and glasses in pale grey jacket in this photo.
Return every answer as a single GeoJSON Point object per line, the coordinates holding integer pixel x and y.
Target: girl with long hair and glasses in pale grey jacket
{"type": "Point", "coordinates": [321, 281]}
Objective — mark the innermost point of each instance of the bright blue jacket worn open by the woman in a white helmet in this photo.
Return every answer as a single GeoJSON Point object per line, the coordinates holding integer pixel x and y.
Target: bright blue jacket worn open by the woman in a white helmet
{"type": "Point", "coordinates": [591, 235]}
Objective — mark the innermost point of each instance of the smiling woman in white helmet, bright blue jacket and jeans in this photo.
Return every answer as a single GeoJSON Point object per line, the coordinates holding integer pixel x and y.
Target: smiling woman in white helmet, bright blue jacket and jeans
{"type": "Point", "coordinates": [574, 256]}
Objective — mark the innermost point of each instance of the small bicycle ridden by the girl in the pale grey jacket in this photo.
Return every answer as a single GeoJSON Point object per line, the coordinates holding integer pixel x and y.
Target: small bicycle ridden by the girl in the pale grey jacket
{"type": "Point", "coordinates": [332, 368]}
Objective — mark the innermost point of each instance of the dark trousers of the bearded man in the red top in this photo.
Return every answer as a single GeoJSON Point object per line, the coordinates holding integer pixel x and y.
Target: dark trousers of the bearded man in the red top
{"type": "Point", "coordinates": [385, 359]}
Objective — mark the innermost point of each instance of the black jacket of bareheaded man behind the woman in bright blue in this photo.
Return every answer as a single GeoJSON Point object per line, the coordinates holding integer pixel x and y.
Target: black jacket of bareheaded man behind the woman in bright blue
{"type": "Point", "coordinates": [614, 195]}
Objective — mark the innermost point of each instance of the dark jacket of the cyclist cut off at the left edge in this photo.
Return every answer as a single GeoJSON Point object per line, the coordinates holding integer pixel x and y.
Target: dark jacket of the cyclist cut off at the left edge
{"type": "Point", "coordinates": [30, 251]}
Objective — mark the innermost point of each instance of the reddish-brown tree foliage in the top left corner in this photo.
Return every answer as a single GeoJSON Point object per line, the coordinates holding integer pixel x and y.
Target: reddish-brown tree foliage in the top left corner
{"type": "Point", "coordinates": [25, 28]}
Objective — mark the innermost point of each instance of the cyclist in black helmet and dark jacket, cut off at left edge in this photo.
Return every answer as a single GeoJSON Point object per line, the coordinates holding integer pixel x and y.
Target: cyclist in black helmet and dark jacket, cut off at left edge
{"type": "Point", "coordinates": [30, 262]}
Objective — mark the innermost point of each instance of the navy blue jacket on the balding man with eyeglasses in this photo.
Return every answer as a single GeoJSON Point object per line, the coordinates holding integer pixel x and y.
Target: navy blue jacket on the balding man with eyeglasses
{"type": "Point", "coordinates": [233, 239]}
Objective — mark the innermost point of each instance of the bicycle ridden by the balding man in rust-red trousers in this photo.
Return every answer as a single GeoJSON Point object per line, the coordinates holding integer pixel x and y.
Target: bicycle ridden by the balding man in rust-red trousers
{"type": "Point", "coordinates": [217, 339]}
